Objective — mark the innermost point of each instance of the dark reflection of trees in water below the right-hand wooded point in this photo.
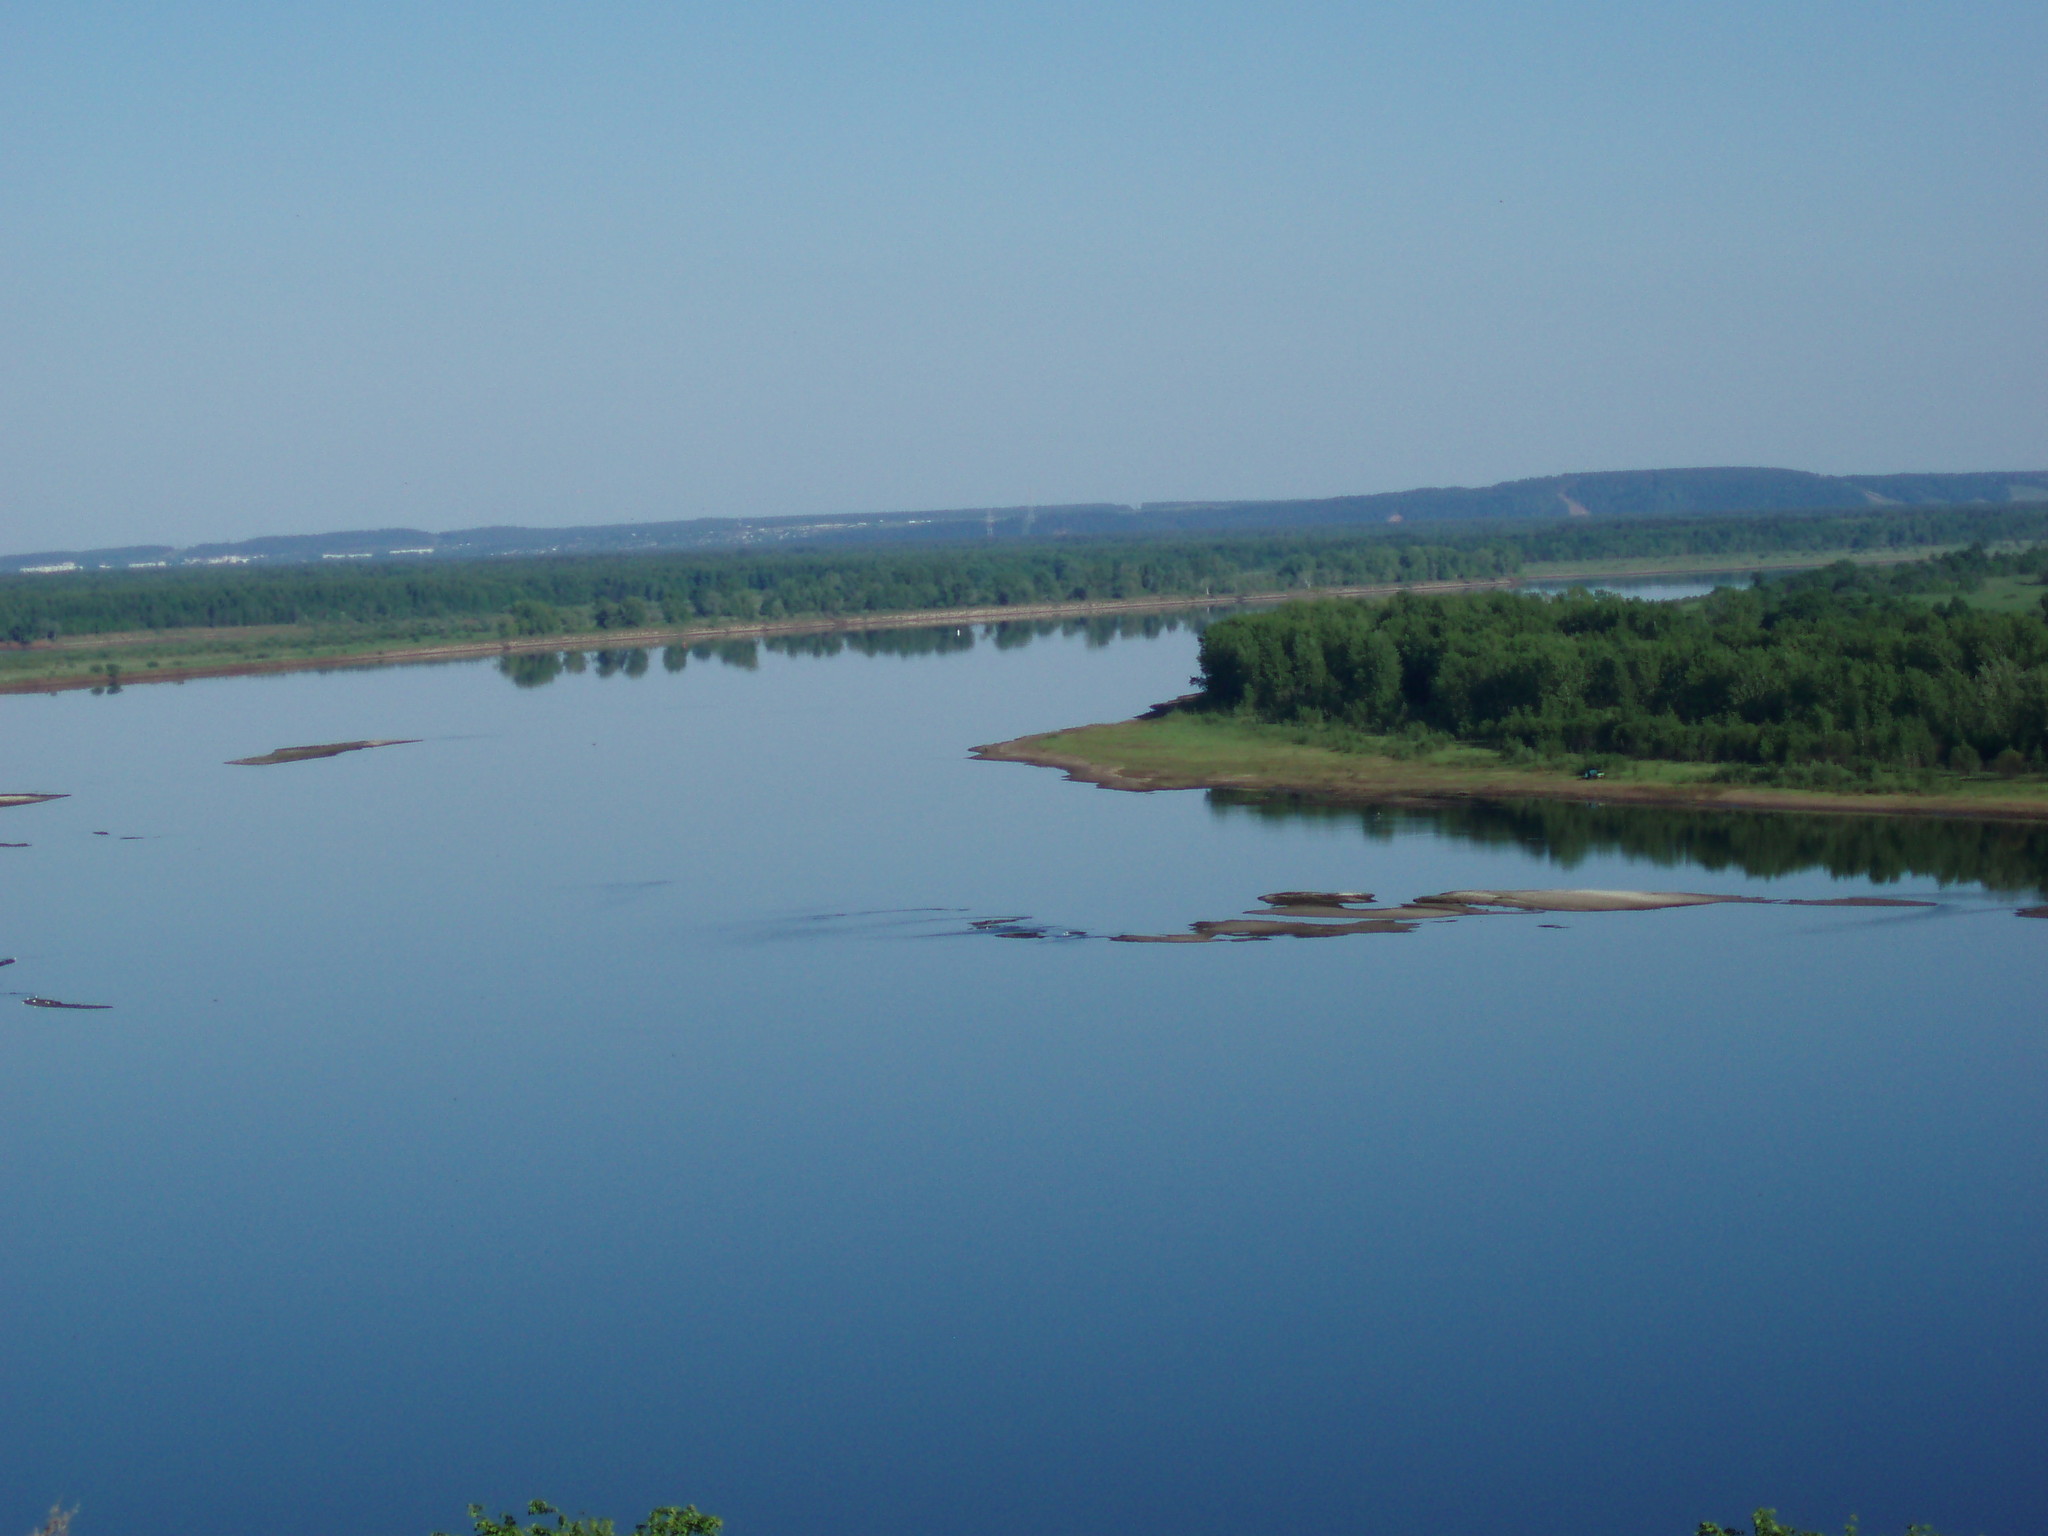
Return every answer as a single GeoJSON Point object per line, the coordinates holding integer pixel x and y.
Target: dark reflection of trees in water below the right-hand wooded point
{"type": "Point", "coordinates": [2010, 857]}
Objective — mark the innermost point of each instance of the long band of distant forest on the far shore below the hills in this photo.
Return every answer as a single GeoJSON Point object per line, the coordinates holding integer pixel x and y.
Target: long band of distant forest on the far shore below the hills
{"type": "Point", "coordinates": [581, 593]}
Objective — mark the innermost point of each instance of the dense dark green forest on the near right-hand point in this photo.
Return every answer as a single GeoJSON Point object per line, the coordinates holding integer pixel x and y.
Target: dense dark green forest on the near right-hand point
{"type": "Point", "coordinates": [1816, 677]}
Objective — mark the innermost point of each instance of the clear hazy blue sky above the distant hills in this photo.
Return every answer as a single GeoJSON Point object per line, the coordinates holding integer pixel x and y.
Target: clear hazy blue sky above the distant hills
{"type": "Point", "coordinates": [278, 269]}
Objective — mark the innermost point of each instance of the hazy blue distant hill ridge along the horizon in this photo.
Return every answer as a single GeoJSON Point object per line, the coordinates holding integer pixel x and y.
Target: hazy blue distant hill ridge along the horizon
{"type": "Point", "coordinates": [1605, 495]}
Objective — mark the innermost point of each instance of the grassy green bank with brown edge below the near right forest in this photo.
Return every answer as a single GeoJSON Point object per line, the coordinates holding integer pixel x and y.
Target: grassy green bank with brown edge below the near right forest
{"type": "Point", "coordinates": [1189, 751]}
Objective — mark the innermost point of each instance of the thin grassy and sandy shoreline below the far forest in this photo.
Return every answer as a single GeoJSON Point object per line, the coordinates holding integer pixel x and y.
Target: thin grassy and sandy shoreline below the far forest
{"type": "Point", "coordinates": [187, 654]}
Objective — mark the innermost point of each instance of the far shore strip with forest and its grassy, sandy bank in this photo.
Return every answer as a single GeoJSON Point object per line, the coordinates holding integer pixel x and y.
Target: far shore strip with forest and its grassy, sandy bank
{"type": "Point", "coordinates": [69, 630]}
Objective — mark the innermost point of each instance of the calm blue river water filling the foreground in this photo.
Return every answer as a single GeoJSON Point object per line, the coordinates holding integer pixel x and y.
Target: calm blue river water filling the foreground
{"type": "Point", "coordinates": [587, 1103]}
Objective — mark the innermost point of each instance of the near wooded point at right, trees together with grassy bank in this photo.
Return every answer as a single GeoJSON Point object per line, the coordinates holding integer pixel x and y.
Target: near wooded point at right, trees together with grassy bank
{"type": "Point", "coordinates": [1834, 689]}
